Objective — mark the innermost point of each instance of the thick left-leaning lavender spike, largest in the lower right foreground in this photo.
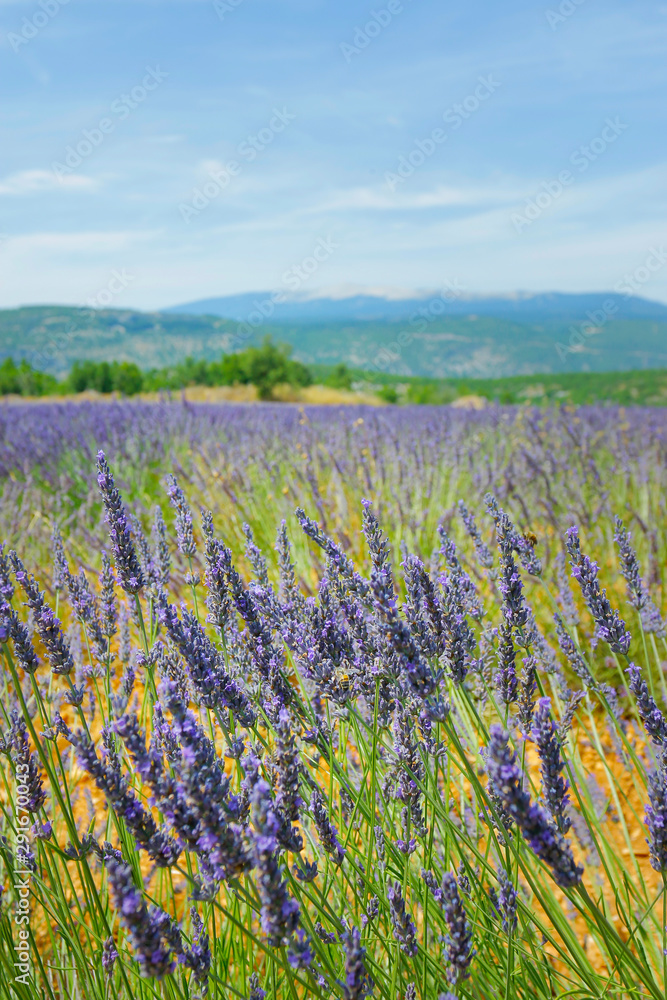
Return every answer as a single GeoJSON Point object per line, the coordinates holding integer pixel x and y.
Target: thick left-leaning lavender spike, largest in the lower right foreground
{"type": "Point", "coordinates": [506, 782]}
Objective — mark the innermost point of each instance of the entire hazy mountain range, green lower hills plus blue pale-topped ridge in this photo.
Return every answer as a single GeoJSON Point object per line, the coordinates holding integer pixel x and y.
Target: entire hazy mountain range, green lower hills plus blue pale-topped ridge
{"type": "Point", "coordinates": [425, 334]}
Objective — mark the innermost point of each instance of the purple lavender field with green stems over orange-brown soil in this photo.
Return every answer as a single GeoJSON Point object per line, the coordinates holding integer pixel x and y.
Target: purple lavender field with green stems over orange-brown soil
{"type": "Point", "coordinates": [316, 702]}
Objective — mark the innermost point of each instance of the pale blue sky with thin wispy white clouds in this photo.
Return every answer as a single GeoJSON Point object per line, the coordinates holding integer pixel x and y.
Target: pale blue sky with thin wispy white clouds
{"type": "Point", "coordinates": [155, 152]}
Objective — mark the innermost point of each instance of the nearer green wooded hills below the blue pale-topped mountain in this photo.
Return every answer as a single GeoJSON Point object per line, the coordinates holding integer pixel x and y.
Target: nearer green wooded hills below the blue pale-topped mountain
{"type": "Point", "coordinates": [441, 346]}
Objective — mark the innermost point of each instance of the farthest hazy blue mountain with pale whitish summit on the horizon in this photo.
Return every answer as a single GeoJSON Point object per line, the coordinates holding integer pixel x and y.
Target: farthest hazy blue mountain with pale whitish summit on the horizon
{"type": "Point", "coordinates": [521, 307]}
